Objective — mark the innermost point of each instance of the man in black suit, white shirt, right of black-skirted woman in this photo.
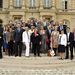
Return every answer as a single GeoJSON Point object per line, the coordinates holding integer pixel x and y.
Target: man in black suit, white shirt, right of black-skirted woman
{"type": "Point", "coordinates": [70, 39]}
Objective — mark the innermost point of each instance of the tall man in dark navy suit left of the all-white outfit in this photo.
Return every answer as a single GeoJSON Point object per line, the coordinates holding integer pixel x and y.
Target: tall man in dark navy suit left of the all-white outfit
{"type": "Point", "coordinates": [18, 40]}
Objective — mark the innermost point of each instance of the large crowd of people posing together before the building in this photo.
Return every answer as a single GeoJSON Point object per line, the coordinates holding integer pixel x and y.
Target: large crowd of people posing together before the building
{"type": "Point", "coordinates": [37, 37]}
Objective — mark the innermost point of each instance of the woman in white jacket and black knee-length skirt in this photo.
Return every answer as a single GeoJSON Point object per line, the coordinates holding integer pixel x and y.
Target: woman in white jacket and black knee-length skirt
{"type": "Point", "coordinates": [62, 44]}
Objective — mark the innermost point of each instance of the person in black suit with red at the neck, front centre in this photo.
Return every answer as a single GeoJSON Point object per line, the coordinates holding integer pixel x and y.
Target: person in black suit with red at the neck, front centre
{"type": "Point", "coordinates": [36, 42]}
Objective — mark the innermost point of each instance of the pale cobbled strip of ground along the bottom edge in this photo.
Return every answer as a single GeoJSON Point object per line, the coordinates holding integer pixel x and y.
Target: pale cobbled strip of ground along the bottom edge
{"type": "Point", "coordinates": [55, 71]}
